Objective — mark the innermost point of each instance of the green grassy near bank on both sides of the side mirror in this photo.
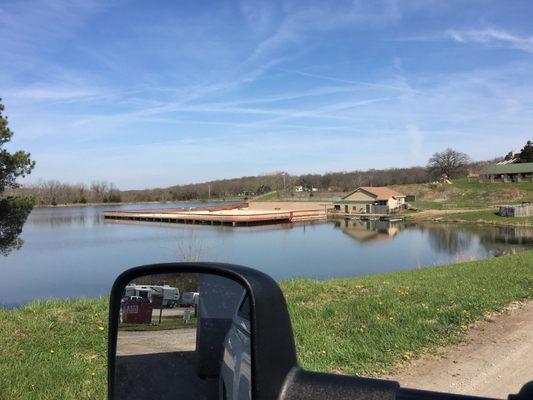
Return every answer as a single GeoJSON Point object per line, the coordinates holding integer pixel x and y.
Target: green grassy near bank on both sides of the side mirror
{"type": "Point", "coordinates": [56, 350]}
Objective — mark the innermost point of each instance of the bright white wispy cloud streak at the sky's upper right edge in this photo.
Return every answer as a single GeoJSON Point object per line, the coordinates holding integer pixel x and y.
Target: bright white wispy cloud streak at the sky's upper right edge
{"type": "Point", "coordinates": [494, 37]}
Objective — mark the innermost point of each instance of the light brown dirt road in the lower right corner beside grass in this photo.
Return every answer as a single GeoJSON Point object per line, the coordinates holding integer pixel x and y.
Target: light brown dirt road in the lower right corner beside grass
{"type": "Point", "coordinates": [496, 360]}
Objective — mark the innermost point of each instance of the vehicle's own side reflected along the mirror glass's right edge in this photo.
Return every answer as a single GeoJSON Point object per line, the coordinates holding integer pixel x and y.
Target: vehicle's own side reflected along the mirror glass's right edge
{"type": "Point", "coordinates": [235, 371]}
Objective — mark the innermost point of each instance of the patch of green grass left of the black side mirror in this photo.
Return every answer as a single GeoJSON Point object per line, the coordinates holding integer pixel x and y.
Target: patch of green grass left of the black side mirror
{"type": "Point", "coordinates": [54, 350]}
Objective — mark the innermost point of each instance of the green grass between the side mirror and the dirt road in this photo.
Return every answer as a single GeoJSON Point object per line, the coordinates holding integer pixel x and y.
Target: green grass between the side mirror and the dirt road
{"type": "Point", "coordinates": [366, 325]}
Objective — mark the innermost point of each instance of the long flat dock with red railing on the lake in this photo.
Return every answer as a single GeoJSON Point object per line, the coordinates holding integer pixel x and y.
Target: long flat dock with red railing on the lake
{"type": "Point", "coordinates": [242, 214]}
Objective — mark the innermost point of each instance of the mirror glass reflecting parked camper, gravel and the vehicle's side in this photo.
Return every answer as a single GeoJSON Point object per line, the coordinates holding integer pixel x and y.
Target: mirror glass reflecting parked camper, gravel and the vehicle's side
{"type": "Point", "coordinates": [183, 336]}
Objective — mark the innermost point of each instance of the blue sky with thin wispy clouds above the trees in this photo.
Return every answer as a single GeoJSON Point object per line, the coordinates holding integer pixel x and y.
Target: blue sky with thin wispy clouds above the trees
{"type": "Point", "coordinates": [151, 94]}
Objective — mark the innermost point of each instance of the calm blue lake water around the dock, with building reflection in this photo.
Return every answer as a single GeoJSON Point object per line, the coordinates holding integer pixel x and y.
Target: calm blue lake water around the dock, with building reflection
{"type": "Point", "coordinates": [74, 252]}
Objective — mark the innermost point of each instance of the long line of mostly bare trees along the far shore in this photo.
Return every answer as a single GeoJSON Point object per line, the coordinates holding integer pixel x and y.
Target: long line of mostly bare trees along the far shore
{"type": "Point", "coordinates": [55, 193]}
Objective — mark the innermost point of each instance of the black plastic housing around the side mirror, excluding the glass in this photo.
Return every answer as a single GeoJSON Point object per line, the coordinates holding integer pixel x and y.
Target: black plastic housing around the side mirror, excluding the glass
{"type": "Point", "coordinates": [273, 348]}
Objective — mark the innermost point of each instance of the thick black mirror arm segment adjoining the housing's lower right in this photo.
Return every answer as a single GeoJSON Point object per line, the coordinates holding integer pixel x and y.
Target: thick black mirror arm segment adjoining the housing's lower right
{"type": "Point", "coordinates": [308, 385]}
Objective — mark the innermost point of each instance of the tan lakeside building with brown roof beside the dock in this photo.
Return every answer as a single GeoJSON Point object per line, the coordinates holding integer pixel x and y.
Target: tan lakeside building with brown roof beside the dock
{"type": "Point", "coordinates": [371, 200]}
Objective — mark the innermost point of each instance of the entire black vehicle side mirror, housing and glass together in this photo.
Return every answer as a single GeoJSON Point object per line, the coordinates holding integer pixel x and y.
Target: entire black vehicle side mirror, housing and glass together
{"type": "Point", "coordinates": [198, 331]}
